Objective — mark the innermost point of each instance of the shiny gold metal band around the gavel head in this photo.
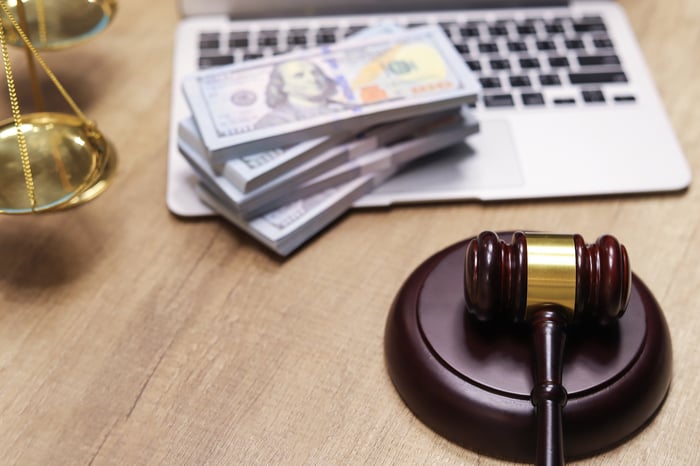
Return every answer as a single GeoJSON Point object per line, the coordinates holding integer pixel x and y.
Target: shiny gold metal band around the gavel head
{"type": "Point", "coordinates": [551, 272]}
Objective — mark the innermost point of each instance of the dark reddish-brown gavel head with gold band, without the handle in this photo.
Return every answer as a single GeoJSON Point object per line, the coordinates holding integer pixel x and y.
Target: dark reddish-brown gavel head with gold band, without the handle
{"type": "Point", "coordinates": [511, 281]}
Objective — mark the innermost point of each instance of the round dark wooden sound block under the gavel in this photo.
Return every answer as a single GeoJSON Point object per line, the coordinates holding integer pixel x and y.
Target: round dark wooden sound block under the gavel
{"type": "Point", "coordinates": [471, 382]}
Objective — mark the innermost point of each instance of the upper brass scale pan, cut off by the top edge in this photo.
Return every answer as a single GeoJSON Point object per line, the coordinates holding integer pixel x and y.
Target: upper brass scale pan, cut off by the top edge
{"type": "Point", "coordinates": [57, 24]}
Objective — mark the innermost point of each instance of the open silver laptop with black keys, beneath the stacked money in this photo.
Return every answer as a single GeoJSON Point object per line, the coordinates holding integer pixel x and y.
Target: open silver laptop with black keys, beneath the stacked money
{"type": "Point", "coordinates": [568, 106]}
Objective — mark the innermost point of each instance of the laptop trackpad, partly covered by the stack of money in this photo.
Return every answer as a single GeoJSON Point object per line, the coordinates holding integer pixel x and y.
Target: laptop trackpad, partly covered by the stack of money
{"type": "Point", "coordinates": [487, 161]}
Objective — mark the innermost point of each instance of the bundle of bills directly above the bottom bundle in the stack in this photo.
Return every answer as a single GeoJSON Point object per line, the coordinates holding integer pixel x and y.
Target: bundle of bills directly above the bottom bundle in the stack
{"type": "Point", "coordinates": [435, 135]}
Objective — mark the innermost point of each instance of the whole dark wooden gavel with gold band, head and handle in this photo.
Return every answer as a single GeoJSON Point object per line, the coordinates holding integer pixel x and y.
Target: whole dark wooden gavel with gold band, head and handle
{"type": "Point", "coordinates": [550, 281]}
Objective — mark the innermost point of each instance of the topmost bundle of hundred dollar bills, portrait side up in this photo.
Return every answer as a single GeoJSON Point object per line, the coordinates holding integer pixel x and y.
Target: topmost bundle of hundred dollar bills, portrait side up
{"type": "Point", "coordinates": [280, 101]}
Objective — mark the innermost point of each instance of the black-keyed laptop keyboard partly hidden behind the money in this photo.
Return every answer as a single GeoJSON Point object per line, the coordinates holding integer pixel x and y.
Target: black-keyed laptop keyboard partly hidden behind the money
{"type": "Point", "coordinates": [528, 63]}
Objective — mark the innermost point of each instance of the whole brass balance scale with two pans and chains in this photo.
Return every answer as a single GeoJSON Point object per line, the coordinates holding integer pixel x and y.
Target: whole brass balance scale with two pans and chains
{"type": "Point", "coordinates": [50, 161]}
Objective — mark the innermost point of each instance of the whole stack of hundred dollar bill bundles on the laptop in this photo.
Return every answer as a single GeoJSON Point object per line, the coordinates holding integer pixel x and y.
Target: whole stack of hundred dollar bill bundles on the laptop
{"type": "Point", "coordinates": [284, 145]}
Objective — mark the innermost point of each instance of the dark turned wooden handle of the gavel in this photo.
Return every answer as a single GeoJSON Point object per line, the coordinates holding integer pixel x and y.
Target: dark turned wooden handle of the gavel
{"type": "Point", "coordinates": [549, 395]}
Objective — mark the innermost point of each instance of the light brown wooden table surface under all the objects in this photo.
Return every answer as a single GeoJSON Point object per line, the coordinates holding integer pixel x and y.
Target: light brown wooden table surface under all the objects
{"type": "Point", "coordinates": [131, 336]}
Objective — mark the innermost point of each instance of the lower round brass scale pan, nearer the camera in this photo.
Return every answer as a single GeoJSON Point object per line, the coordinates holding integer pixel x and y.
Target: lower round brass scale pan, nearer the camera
{"type": "Point", "coordinates": [66, 161]}
